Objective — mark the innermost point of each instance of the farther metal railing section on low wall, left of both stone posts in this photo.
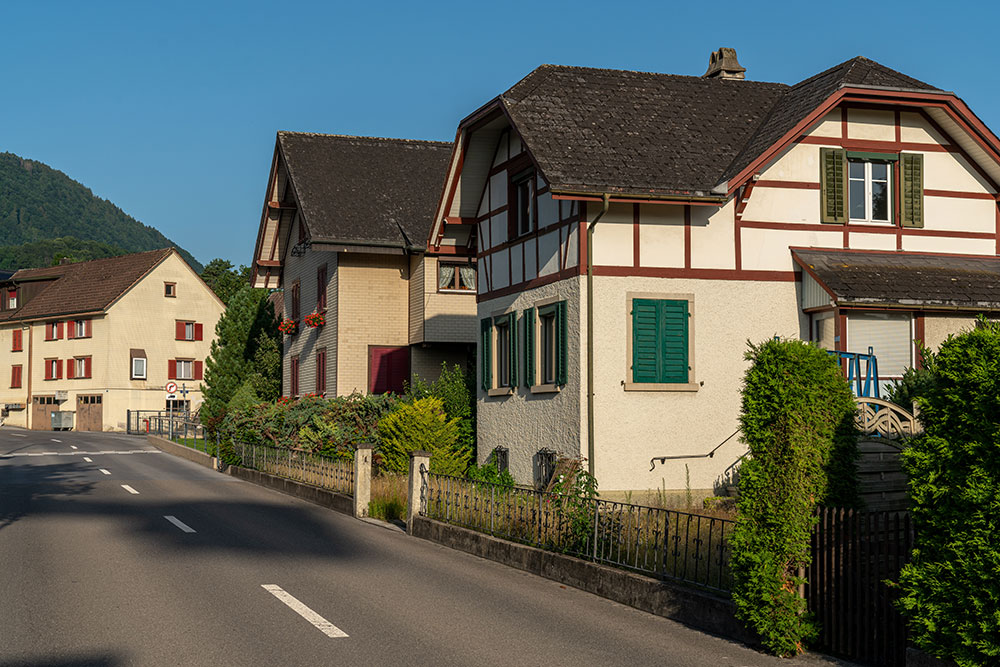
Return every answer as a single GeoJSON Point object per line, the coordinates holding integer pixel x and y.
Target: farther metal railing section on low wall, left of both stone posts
{"type": "Point", "coordinates": [316, 469]}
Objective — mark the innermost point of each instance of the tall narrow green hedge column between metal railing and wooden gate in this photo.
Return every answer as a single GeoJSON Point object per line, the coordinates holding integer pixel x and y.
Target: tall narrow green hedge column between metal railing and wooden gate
{"type": "Point", "coordinates": [798, 421]}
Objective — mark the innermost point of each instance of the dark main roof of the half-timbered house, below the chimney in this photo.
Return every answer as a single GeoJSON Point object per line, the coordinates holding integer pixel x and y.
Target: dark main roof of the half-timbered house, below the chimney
{"type": "Point", "coordinates": [599, 130]}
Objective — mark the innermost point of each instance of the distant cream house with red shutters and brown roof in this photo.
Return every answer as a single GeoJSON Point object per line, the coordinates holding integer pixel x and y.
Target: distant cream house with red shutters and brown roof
{"type": "Point", "coordinates": [104, 337]}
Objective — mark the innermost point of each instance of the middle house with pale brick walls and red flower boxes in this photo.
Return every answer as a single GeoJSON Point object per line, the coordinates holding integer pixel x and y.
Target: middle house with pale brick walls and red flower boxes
{"type": "Point", "coordinates": [344, 233]}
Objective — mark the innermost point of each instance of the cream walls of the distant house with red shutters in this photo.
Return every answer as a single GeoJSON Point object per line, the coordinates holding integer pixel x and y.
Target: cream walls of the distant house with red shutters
{"type": "Point", "coordinates": [144, 319]}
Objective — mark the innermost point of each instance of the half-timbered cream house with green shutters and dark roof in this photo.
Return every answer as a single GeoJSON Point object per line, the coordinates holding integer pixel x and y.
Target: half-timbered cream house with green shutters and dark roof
{"type": "Point", "coordinates": [635, 229]}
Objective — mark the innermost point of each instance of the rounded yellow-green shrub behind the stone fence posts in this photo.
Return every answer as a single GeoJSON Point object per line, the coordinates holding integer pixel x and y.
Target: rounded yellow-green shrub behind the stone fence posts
{"type": "Point", "coordinates": [421, 425]}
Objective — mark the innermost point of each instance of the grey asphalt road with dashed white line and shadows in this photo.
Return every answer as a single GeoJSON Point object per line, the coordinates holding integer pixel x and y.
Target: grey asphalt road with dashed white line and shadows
{"type": "Point", "coordinates": [92, 572]}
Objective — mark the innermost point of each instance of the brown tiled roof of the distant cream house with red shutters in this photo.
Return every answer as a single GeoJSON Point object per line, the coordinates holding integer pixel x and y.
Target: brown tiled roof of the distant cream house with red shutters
{"type": "Point", "coordinates": [83, 287]}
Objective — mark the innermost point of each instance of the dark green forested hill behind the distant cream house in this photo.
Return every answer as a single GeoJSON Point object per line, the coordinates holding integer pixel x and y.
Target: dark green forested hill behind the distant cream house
{"type": "Point", "coordinates": [45, 213]}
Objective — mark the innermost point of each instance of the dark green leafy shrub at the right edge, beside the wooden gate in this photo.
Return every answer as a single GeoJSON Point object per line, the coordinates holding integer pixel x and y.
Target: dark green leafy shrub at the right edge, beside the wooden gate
{"type": "Point", "coordinates": [951, 588]}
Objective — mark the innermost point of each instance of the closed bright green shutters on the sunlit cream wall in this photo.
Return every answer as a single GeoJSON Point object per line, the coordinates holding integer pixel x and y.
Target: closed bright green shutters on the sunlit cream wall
{"type": "Point", "coordinates": [660, 343]}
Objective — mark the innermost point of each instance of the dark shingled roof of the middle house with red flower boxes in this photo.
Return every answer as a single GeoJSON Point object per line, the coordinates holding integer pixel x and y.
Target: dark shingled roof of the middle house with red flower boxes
{"type": "Point", "coordinates": [364, 189]}
